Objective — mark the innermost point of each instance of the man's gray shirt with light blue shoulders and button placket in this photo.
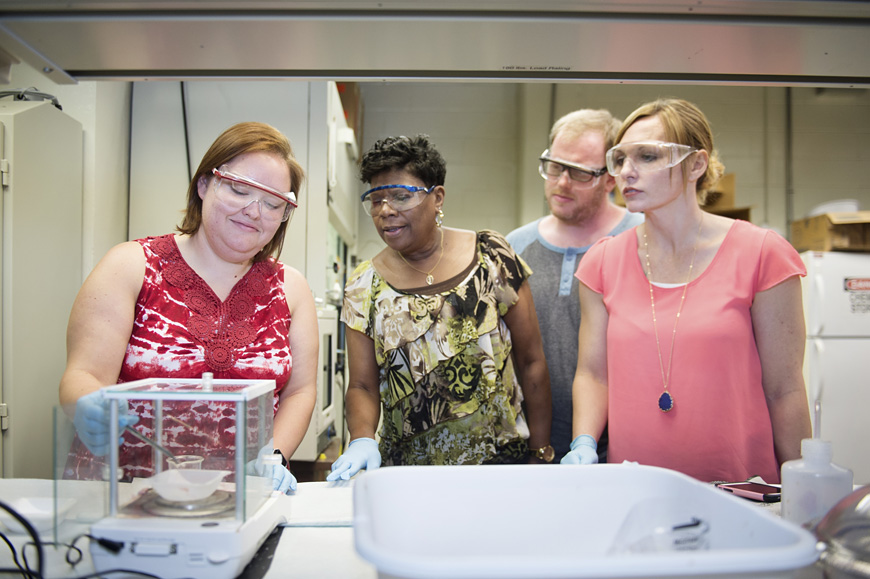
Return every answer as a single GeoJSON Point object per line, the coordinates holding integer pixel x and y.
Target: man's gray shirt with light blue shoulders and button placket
{"type": "Point", "coordinates": [554, 289]}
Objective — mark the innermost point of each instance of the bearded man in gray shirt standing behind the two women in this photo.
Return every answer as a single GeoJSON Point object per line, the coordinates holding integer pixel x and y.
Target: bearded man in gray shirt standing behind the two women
{"type": "Point", "coordinates": [577, 188]}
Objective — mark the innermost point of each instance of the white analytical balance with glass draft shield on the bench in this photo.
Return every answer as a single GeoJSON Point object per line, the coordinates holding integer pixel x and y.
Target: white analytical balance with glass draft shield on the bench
{"type": "Point", "coordinates": [207, 522]}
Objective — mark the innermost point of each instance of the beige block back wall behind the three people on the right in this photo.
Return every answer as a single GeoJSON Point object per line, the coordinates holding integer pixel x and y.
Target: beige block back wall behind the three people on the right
{"type": "Point", "coordinates": [473, 125]}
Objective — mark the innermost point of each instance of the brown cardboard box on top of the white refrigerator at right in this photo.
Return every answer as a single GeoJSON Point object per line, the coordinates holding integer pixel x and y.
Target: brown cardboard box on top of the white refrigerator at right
{"type": "Point", "coordinates": [832, 232]}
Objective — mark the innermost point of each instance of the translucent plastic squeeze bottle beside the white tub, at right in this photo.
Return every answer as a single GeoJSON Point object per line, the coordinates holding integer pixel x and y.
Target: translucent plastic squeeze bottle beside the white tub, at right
{"type": "Point", "coordinates": [813, 484]}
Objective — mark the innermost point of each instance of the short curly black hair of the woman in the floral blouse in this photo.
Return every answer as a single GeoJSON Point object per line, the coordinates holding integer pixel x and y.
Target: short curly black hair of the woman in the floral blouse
{"type": "Point", "coordinates": [415, 154]}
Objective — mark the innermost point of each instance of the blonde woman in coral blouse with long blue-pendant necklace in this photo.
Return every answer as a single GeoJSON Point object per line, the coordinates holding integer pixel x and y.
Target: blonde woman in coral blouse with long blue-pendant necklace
{"type": "Point", "coordinates": [692, 339]}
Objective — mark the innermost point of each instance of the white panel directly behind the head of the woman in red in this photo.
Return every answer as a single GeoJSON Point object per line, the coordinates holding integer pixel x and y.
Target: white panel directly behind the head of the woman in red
{"type": "Point", "coordinates": [160, 175]}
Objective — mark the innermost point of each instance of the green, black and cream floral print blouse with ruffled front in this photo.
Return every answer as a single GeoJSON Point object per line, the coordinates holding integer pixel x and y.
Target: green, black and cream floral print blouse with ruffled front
{"type": "Point", "coordinates": [448, 386]}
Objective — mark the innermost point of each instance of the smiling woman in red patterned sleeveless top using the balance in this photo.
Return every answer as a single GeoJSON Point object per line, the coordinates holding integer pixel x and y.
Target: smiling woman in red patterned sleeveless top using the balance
{"type": "Point", "coordinates": [211, 298]}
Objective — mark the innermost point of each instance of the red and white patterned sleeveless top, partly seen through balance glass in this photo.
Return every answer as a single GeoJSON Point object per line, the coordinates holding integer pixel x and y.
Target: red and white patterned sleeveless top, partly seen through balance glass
{"type": "Point", "coordinates": [181, 329]}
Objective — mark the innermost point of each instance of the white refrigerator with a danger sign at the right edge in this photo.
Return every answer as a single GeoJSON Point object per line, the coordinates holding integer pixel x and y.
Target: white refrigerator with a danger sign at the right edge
{"type": "Point", "coordinates": [836, 293]}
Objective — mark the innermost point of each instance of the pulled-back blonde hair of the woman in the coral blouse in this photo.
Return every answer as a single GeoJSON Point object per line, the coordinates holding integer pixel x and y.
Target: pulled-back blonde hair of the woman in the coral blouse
{"type": "Point", "coordinates": [684, 124]}
